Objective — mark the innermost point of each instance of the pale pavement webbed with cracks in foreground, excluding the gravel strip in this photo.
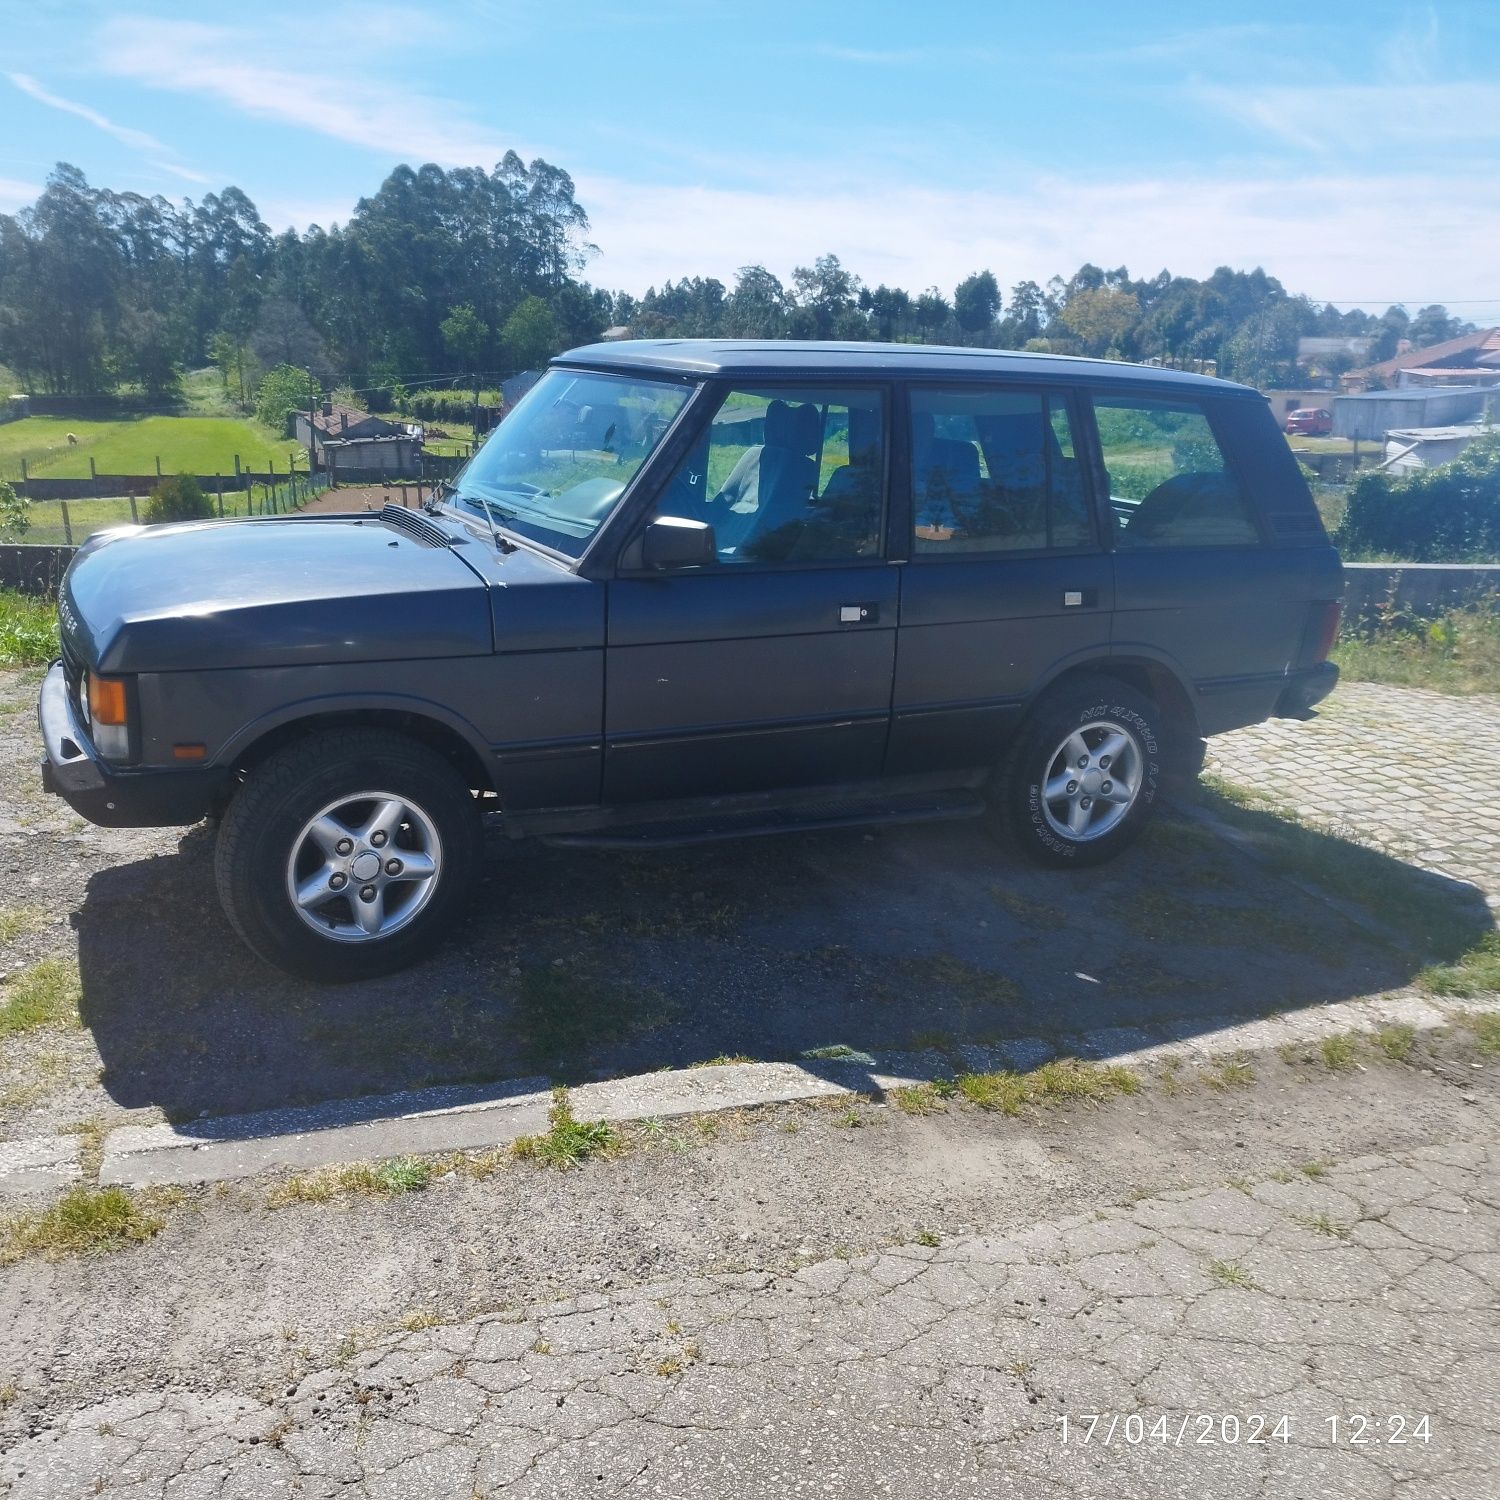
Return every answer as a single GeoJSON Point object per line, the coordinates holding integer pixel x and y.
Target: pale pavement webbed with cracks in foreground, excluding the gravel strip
{"type": "Point", "coordinates": [1321, 1336]}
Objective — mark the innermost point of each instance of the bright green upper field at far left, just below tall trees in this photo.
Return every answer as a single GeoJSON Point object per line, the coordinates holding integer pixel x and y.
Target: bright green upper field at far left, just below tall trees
{"type": "Point", "coordinates": [131, 446]}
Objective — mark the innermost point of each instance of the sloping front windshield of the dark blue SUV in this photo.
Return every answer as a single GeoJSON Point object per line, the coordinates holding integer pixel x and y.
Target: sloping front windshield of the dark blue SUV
{"type": "Point", "coordinates": [557, 466]}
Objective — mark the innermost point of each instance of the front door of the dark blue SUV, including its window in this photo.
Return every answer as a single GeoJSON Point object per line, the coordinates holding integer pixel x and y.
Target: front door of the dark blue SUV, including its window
{"type": "Point", "coordinates": [770, 670]}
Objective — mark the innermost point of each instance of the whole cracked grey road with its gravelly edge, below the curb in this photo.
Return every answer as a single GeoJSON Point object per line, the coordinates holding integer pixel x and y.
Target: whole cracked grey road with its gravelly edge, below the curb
{"type": "Point", "coordinates": [905, 1310]}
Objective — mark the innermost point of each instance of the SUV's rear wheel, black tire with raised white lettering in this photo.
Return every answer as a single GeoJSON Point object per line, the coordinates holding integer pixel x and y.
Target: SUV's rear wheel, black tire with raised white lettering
{"type": "Point", "coordinates": [1082, 706]}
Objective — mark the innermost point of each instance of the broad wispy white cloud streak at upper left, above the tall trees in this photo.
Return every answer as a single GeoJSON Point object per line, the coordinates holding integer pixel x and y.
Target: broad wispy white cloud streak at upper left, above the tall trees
{"type": "Point", "coordinates": [221, 64]}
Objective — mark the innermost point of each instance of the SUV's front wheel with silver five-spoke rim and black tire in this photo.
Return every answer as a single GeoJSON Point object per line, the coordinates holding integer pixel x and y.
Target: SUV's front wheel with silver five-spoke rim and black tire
{"type": "Point", "coordinates": [347, 856]}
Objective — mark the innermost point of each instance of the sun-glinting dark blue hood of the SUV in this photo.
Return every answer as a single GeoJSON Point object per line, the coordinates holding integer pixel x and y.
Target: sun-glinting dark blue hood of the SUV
{"type": "Point", "coordinates": [271, 593]}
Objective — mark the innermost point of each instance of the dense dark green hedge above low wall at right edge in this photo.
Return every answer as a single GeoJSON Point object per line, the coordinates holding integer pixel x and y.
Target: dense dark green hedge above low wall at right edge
{"type": "Point", "coordinates": [1439, 515]}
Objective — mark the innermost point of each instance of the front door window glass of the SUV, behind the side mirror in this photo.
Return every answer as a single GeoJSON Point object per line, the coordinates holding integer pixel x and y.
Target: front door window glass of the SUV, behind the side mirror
{"type": "Point", "coordinates": [788, 476]}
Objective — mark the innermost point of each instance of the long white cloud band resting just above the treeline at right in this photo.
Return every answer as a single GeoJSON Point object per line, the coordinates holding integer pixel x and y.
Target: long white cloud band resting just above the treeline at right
{"type": "Point", "coordinates": [1342, 238]}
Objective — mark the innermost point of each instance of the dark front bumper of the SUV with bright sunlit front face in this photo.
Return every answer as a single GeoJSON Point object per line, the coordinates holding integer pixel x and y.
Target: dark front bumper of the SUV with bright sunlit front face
{"type": "Point", "coordinates": [109, 796]}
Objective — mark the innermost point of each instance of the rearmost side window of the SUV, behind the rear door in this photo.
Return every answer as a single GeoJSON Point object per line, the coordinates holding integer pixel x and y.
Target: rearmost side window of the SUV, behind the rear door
{"type": "Point", "coordinates": [1169, 482]}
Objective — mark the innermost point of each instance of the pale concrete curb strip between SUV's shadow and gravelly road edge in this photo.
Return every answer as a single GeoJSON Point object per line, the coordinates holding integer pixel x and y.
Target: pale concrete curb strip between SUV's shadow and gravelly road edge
{"type": "Point", "coordinates": [460, 1118]}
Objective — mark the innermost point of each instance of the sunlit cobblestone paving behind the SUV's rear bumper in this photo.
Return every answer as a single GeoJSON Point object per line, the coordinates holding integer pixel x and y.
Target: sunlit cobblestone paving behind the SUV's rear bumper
{"type": "Point", "coordinates": [1391, 767]}
